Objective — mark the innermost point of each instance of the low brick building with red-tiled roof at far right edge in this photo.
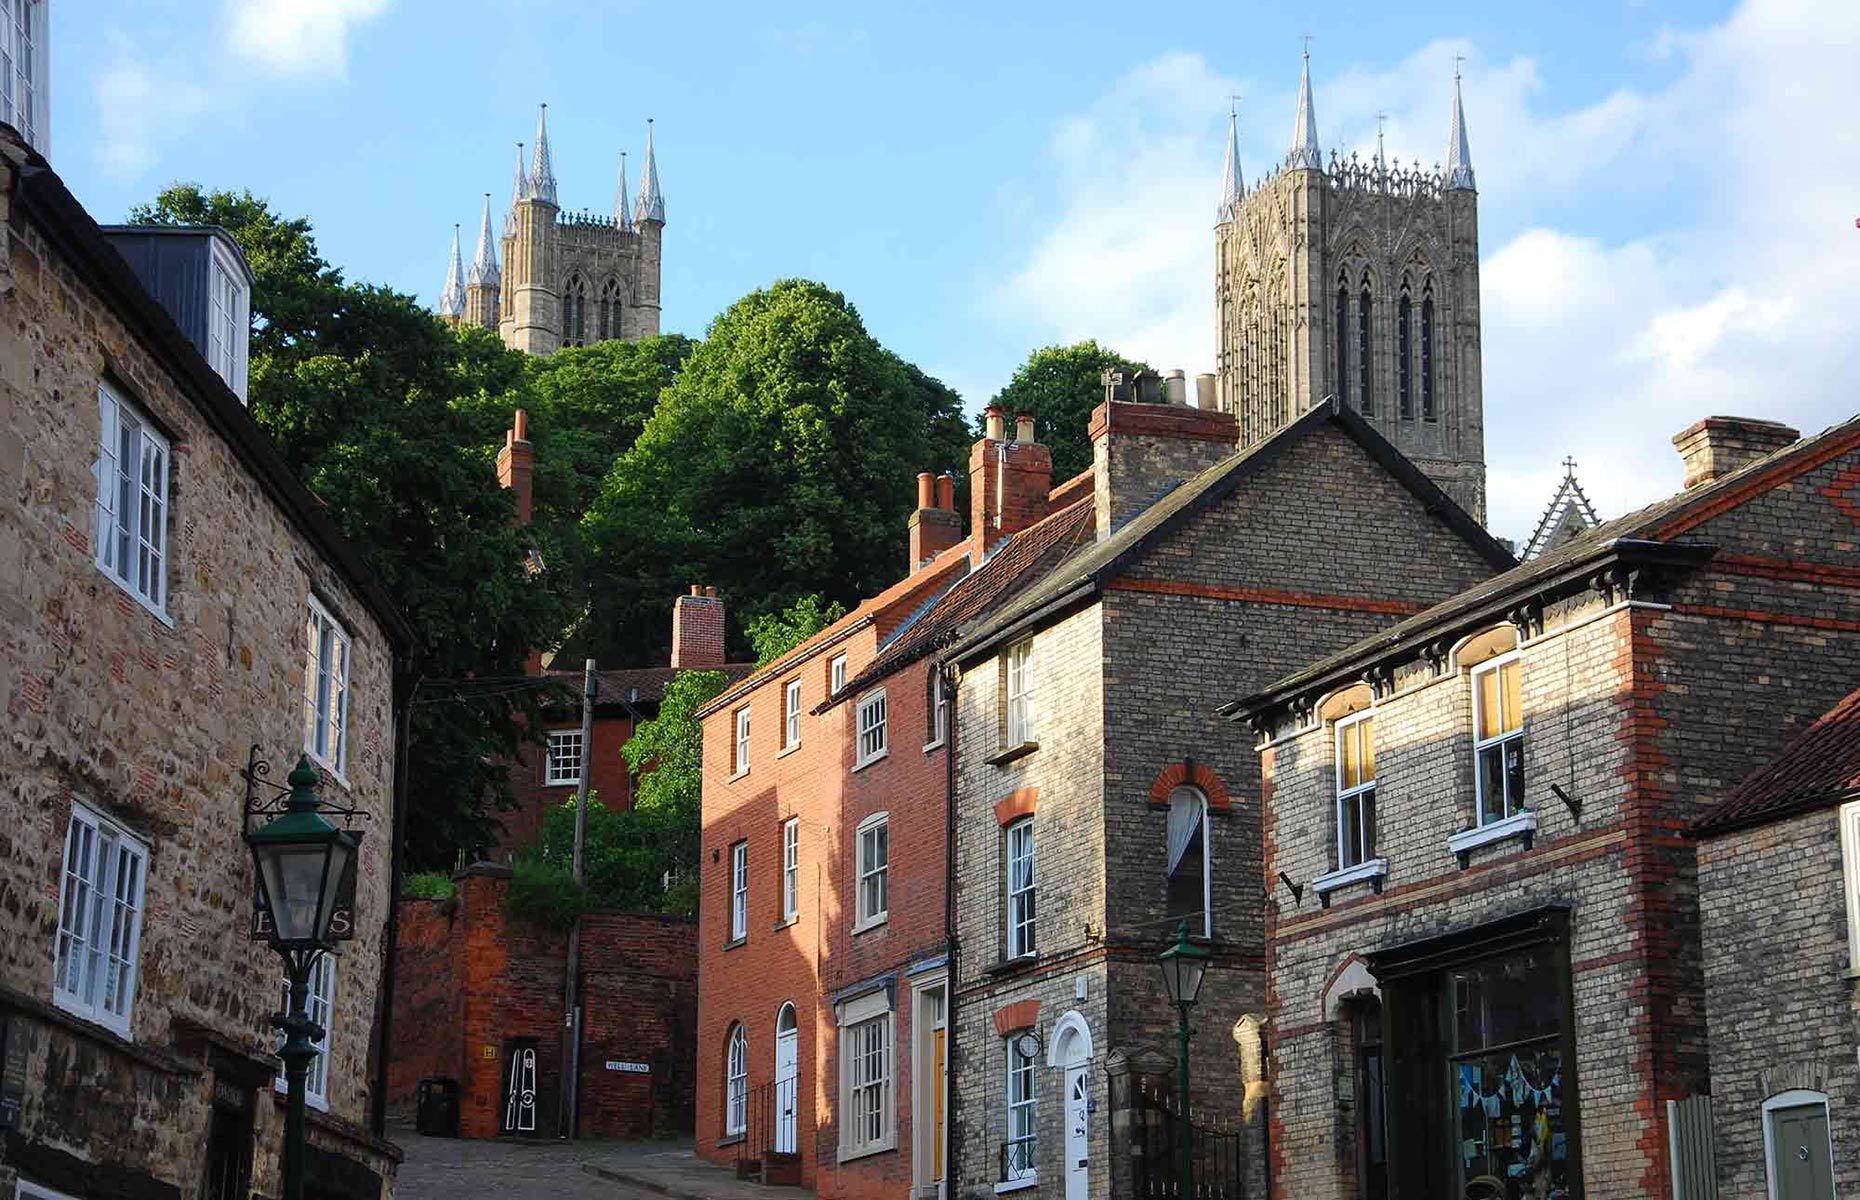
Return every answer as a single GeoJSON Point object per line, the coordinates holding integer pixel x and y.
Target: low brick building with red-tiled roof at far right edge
{"type": "Point", "coordinates": [1779, 914]}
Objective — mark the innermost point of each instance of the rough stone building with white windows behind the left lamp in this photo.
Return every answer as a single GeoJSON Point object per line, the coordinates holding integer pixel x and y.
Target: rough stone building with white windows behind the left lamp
{"type": "Point", "coordinates": [155, 633]}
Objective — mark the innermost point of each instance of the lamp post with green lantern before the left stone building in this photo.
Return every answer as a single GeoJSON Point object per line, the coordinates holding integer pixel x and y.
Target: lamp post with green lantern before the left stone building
{"type": "Point", "coordinates": [300, 860]}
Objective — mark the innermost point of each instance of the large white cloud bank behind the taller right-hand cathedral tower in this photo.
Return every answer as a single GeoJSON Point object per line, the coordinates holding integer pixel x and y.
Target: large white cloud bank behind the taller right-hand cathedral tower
{"type": "Point", "coordinates": [1595, 345]}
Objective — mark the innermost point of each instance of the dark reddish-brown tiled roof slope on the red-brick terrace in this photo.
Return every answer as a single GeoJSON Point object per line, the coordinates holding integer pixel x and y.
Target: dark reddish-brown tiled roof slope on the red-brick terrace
{"type": "Point", "coordinates": [1022, 561]}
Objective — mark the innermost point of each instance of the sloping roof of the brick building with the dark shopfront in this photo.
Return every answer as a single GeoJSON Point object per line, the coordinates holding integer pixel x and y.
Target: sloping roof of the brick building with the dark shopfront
{"type": "Point", "coordinates": [1660, 522]}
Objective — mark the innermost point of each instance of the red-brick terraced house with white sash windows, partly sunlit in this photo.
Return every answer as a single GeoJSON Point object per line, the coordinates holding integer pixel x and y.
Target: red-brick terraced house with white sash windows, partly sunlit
{"type": "Point", "coordinates": [825, 924]}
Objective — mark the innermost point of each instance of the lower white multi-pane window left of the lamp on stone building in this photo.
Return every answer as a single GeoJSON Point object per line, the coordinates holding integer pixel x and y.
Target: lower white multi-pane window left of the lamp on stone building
{"type": "Point", "coordinates": [101, 885]}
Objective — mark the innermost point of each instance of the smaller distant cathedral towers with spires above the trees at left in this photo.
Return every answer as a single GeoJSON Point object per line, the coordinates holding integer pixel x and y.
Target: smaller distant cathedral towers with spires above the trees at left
{"type": "Point", "coordinates": [568, 278]}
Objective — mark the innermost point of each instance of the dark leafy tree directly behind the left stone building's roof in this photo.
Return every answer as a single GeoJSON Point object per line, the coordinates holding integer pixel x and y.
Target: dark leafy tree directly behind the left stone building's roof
{"type": "Point", "coordinates": [380, 410]}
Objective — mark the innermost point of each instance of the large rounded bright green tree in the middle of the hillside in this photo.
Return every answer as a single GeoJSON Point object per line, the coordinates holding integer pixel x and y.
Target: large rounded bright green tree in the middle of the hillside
{"type": "Point", "coordinates": [778, 464]}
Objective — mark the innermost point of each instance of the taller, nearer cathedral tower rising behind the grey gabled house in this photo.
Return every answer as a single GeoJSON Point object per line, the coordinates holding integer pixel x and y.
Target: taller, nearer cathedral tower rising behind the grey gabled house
{"type": "Point", "coordinates": [1357, 280]}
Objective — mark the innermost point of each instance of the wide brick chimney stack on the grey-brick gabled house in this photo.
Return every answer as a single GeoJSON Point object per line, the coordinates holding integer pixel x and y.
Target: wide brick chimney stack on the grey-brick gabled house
{"type": "Point", "coordinates": [1147, 440]}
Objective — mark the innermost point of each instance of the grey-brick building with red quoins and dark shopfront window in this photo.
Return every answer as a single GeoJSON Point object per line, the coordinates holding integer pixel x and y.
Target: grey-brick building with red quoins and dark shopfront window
{"type": "Point", "coordinates": [1483, 927]}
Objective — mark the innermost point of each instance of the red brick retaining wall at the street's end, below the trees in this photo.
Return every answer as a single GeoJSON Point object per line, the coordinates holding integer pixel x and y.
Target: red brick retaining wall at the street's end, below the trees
{"type": "Point", "coordinates": [473, 981]}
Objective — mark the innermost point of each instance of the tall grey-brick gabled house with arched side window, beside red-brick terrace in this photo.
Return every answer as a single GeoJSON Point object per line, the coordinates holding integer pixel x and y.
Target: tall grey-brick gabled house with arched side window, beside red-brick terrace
{"type": "Point", "coordinates": [1098, 799]}
